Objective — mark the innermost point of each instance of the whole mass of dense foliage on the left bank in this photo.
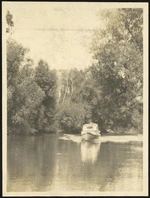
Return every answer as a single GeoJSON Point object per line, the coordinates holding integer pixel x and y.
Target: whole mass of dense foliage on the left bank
{"type": "Point", "coordinates": [31, 92]}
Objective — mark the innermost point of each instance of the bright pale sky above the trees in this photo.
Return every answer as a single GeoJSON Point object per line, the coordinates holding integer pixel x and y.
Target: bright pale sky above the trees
{"type": "Point", "coordinates": [59, 33]}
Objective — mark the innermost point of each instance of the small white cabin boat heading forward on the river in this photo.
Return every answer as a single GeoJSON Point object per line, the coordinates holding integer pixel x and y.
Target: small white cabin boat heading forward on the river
{"type": "Point", "coordinates": [90, 132]}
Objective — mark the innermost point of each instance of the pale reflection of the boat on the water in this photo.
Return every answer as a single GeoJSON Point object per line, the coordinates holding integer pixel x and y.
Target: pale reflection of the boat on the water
{"type": "Point", "coordinates": [89, 152]}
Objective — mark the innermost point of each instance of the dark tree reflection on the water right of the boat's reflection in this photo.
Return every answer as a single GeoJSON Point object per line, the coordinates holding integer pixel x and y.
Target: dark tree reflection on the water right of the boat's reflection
{"type": "Point", "coordinates": [112, 157]}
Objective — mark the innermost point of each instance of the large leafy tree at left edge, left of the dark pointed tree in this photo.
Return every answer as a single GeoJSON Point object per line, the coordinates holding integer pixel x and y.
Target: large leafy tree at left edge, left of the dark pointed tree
{"type": "Point", "coordinates": [24, 96]}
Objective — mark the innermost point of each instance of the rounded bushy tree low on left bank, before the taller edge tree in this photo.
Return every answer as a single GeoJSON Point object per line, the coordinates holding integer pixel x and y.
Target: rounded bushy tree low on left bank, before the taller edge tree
{"type": "Point", "coordinates": [27, 102]}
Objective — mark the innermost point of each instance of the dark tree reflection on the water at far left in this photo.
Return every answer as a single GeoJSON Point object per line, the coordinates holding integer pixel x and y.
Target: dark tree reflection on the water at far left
{"type": "Point", "coordinates": [31, 163]}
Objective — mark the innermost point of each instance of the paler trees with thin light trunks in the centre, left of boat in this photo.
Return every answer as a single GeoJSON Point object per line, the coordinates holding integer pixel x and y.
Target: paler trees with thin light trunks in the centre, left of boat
{"type": "Point", "coordinates": [74, 106]}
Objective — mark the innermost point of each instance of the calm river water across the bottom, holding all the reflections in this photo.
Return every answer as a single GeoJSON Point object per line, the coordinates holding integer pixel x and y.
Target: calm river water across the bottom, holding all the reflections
{"type": "Point", "coordinates": [50, 163]}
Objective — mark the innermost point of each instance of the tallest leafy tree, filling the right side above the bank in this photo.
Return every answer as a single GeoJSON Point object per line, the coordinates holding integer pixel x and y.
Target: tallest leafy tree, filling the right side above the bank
{"type": "Point", "coordinates": [118, 49]}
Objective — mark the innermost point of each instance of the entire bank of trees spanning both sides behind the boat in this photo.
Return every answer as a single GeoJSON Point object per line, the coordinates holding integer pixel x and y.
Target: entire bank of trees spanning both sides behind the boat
{"type": "Point", "coordinates": [109, 92]}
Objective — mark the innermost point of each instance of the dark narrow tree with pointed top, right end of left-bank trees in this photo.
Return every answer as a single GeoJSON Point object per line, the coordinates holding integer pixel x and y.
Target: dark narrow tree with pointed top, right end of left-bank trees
{"type": "Point", "coordinates": [47, 81]}
